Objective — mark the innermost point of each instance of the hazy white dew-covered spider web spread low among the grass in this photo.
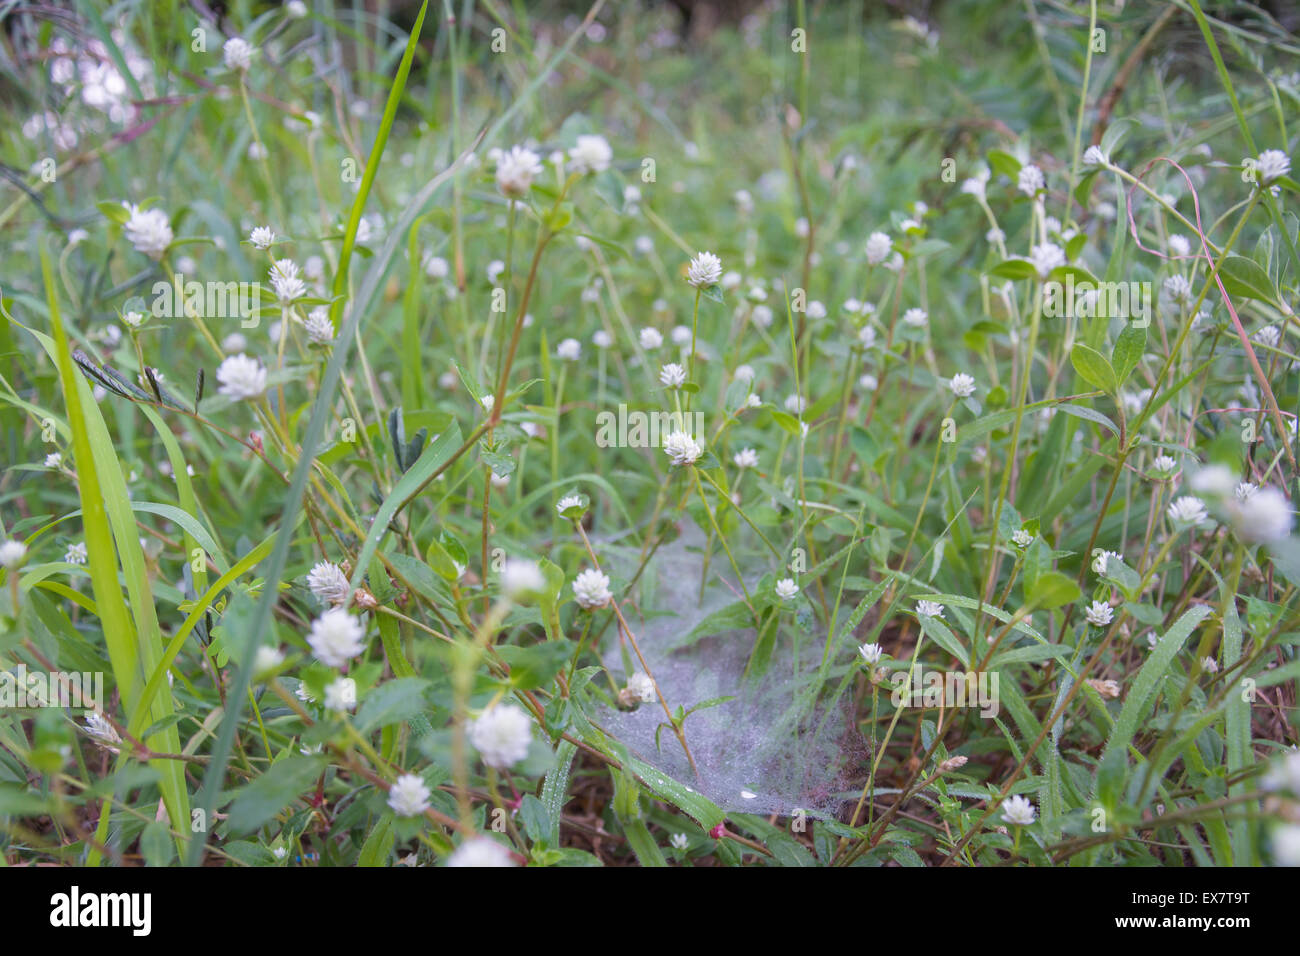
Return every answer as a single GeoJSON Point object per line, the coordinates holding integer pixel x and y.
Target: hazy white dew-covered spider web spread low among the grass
{"type": "Point", "coordinates": [786, 742]}
